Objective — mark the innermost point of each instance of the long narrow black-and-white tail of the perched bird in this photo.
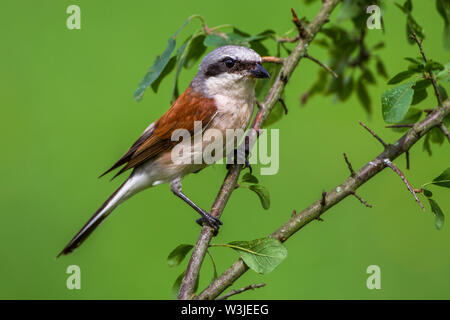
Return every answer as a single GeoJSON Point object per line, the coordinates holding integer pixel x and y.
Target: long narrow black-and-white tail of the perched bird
{"type": "Point", "coordinates": [125, 191]}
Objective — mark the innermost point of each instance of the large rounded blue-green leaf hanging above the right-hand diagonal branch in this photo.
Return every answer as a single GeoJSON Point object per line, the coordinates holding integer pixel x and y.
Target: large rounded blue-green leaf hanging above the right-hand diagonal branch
{"type": "Point", "coordinates": [396, 102]}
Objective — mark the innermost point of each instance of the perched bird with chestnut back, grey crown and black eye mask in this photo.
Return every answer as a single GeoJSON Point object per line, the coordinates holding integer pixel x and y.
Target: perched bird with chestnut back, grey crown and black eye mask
{"type": "Point", "coordinates": [220, 97]}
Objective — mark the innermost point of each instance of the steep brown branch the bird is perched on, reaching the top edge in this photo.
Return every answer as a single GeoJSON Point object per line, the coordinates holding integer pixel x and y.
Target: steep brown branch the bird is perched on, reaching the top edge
{"type": "Point", "coordinates": [228, 186]}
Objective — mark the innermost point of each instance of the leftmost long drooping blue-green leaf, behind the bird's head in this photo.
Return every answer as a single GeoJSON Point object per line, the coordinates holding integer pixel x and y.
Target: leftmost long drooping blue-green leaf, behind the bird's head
{"type": "Point", "coordinates": [159, 65]}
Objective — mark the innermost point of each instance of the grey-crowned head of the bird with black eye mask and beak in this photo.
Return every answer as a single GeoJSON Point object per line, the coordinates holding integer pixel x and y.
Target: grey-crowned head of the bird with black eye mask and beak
{"type": "Point", "coordinates": [228, 66]}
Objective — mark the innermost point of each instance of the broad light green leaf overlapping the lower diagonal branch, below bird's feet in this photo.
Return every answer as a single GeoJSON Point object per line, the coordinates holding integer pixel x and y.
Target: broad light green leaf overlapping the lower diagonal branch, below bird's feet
{"type": "Point", "coordinates": [261, 255]}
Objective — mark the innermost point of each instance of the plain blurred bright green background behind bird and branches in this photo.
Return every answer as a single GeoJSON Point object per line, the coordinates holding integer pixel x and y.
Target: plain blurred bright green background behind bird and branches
{"type": "Point", "coordinates": [68, 113]}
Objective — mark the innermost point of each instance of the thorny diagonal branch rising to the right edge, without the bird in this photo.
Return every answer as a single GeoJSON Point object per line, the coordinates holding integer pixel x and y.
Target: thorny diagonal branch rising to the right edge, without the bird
{"type": "Point", "coordinates": [335, 195]}
